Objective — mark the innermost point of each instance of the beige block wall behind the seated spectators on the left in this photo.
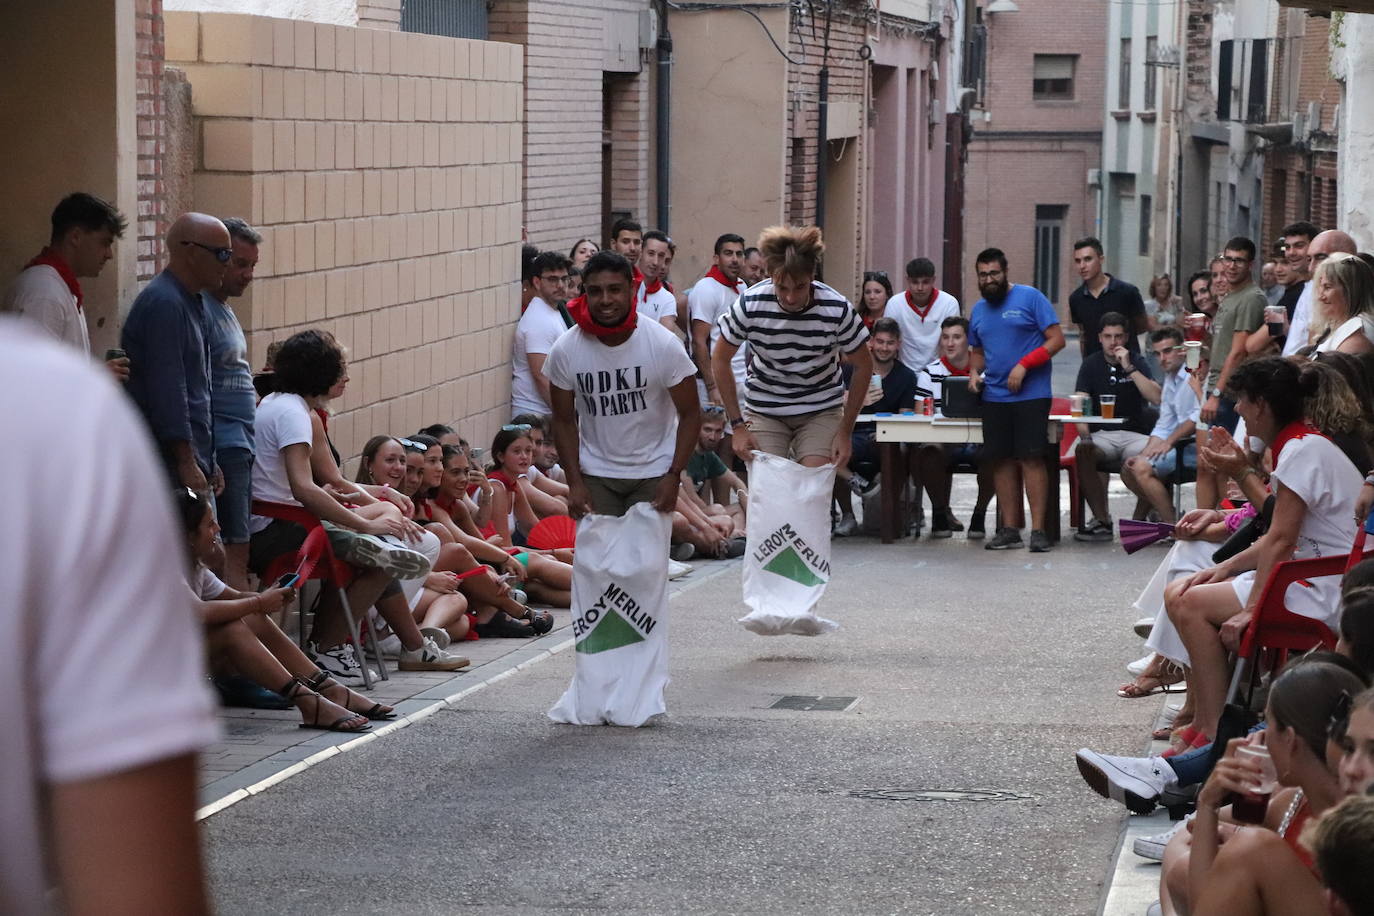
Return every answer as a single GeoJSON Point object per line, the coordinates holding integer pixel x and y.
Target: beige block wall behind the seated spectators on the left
{"type": "Point", "coordinates": [384, 172]}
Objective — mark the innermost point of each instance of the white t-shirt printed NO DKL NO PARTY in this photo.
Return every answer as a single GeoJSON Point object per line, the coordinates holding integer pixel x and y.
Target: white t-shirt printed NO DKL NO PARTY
{"type": "Point", "coordinates": [627, 422]}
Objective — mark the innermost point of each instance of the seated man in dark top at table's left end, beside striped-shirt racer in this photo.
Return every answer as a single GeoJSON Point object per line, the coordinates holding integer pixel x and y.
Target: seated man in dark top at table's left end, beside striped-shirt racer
{"type": "Point", "coordinates": [898, 387]}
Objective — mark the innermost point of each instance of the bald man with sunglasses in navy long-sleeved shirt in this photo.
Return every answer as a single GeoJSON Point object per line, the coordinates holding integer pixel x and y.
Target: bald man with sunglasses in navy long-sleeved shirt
{"type": "Point", "coordinates": [170, 363]}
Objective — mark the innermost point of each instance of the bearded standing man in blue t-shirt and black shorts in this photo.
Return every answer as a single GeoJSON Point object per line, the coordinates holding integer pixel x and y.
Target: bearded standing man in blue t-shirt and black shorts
{"type": "Point", "coordinates": [1013, 334]}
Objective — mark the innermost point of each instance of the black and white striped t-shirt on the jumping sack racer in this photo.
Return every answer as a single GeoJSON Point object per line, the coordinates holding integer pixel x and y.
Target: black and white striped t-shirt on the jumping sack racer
{"type": "Point", "coordinates": [795, 363]}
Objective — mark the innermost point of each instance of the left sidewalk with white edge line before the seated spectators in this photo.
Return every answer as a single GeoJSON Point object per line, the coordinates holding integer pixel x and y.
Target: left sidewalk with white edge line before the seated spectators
{"type": "Point", "coordinates": [263, 748]}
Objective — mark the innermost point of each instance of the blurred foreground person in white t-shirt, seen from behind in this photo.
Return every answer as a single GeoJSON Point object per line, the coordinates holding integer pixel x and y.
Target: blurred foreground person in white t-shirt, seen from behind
{"type": "Point", "coordinates": [104, 674]}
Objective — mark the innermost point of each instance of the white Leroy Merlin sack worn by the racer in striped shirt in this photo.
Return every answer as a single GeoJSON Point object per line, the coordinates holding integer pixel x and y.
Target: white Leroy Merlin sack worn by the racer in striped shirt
{"type": "Point", "coordinates": [788, 556]}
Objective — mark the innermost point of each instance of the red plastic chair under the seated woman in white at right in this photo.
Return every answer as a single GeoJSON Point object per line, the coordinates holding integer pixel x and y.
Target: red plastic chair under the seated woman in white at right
{"type": "Point", "coordinates": [1280, 630]}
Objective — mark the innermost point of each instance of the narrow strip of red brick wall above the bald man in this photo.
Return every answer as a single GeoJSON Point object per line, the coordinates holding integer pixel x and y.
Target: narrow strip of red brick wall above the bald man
{"type": "Point", "coordinates": [153, 218]}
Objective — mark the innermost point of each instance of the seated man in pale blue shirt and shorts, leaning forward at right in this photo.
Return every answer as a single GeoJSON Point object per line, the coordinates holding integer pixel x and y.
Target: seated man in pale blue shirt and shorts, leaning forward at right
{"type": "Point", "coordinates": [1151, 473]}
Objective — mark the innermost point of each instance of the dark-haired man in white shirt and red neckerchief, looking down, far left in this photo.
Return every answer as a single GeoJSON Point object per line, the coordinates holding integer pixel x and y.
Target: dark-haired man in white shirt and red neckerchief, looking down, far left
{"type": "Point", "coordinates": [49, 290]}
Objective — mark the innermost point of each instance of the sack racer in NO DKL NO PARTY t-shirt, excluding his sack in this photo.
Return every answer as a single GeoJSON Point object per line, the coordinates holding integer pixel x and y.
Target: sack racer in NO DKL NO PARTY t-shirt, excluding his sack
{"type": "Point", "coordinates": [626, 413]}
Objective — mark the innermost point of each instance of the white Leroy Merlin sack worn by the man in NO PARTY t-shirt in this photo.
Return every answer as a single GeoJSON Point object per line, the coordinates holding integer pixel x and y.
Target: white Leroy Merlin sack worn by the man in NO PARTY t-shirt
{"type": "Point", "coordinates": [620, 620]}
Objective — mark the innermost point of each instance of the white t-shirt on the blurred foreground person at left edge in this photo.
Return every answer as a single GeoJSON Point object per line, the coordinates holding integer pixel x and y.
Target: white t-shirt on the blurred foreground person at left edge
{"type": "Point", "coordinates": [102, 665]}
